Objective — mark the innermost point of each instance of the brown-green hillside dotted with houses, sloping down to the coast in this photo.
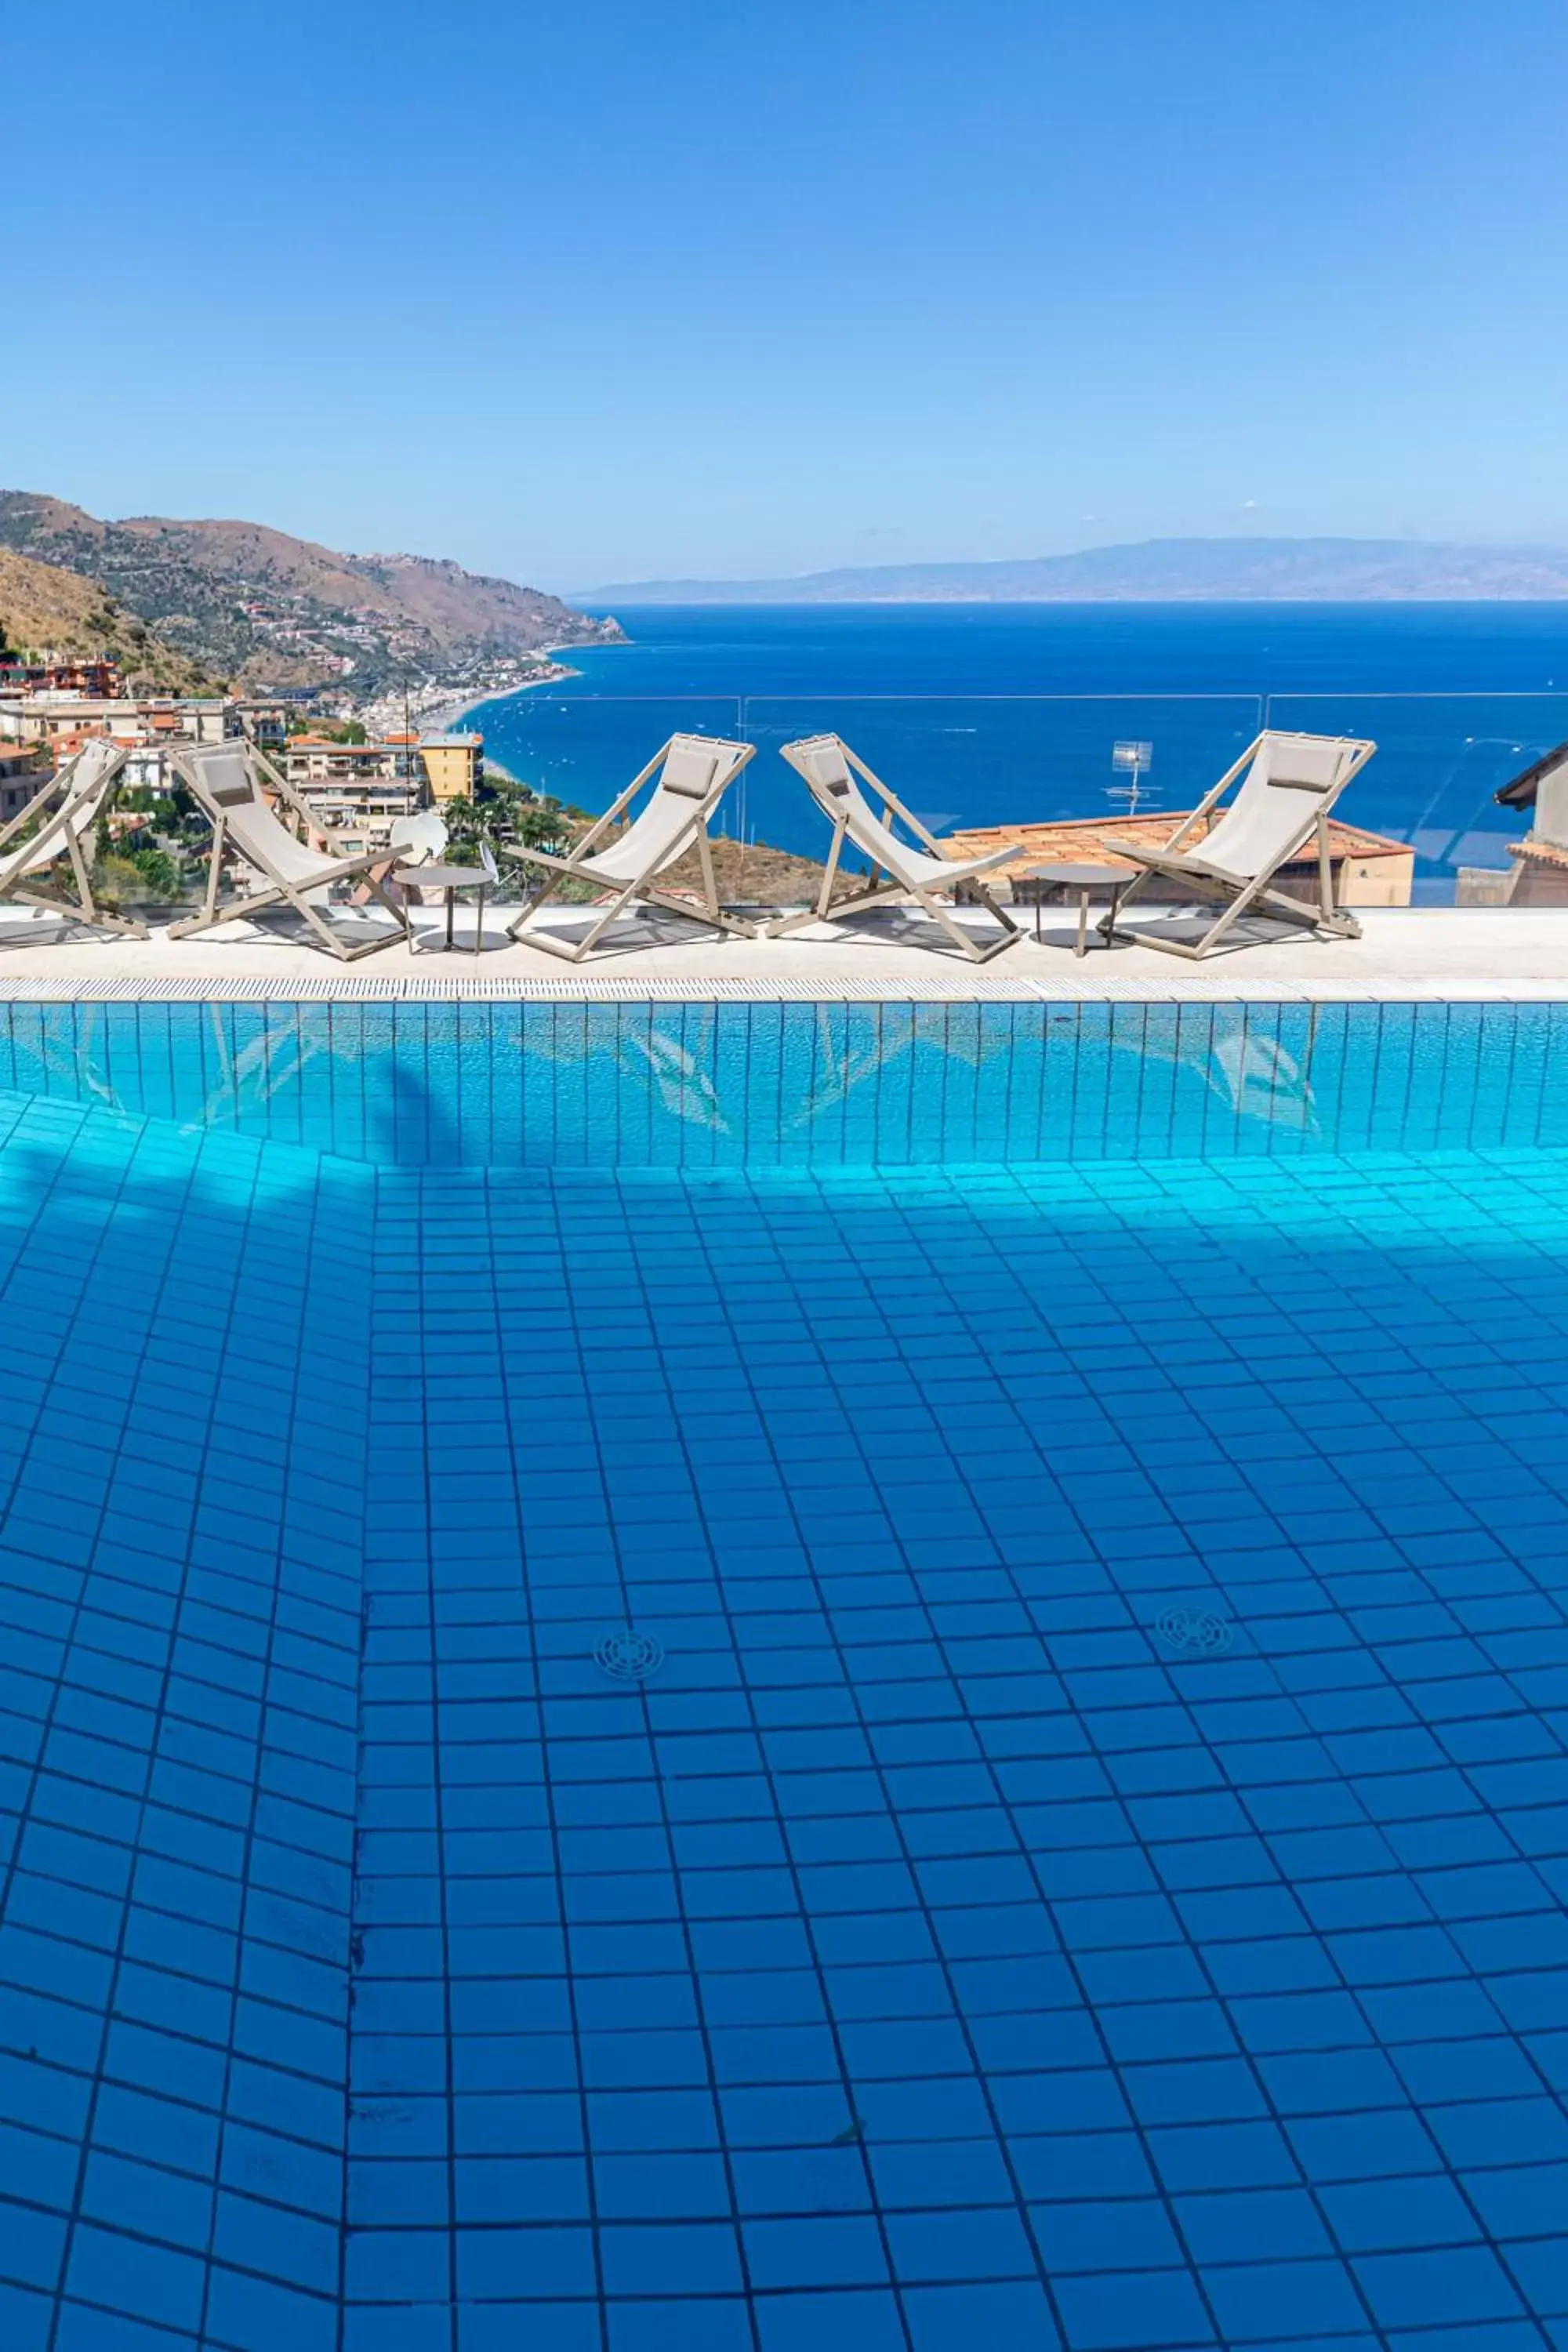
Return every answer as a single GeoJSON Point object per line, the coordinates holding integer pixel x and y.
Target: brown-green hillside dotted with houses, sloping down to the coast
{"type": "Point", "coordinates": [269, 610]}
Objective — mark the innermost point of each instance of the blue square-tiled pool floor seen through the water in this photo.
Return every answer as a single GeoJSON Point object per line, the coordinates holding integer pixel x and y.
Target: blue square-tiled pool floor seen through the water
{"type": "Point", "coordinates": [1085, 1864]}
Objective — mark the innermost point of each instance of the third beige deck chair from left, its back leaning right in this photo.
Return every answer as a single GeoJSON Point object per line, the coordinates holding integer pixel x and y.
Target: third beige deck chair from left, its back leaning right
{"type": "Point", "coordinates": [692, 777]}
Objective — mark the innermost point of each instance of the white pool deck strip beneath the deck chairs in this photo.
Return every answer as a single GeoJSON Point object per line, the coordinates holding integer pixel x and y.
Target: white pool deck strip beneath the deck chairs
{"type": "Point", "coordinates": [1405, 954]}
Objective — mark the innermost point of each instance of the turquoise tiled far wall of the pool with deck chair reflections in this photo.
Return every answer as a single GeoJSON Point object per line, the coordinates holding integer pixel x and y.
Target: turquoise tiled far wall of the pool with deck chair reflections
{"type": "Point", "coordinates": [808, 1085]}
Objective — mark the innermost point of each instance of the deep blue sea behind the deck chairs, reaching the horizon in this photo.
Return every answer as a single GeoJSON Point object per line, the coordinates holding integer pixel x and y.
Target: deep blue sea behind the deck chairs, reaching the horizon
{"type": "Point", "coordinates": [1000, 714]}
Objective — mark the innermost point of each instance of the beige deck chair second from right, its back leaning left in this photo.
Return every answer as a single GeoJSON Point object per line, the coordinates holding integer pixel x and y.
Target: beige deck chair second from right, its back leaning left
{"type": "Point", "coordinates": [831, 773]}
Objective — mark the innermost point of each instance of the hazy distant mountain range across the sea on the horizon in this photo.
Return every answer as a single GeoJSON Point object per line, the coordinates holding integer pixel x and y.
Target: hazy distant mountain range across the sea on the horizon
{"type": "Point", "coordinates": [1158, 573]}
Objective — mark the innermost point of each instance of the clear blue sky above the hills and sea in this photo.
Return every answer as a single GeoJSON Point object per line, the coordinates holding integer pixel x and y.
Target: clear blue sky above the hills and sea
{"type": "Point", "coordinates": [760, 286]}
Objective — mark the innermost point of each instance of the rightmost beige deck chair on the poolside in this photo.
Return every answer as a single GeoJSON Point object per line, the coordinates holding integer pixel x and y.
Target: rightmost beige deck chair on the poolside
{"type": "Point", "coordinates": [1289, 787]}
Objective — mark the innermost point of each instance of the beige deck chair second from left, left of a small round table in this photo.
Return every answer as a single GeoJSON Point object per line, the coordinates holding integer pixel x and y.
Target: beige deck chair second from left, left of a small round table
{"type": "Point", "coordinates": [225, 780]}
